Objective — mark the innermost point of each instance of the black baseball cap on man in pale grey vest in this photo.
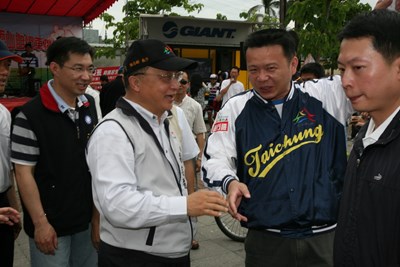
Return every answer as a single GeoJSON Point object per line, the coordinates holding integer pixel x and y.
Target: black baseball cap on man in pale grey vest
{"type": "Point", "coordinates": [156, 54]}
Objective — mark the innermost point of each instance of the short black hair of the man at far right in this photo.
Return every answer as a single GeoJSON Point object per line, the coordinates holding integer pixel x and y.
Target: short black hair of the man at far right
{"type": "Point", "coordinates": [382, 26]}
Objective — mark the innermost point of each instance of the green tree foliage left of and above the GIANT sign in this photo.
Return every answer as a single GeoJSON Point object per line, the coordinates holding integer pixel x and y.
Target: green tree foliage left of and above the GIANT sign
{"type": "Point", "coordinates": [128, 28]}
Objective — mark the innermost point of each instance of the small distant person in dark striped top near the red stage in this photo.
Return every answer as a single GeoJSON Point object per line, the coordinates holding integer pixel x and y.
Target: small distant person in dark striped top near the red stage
{"type": "Point", "coordinates": [27, 70]}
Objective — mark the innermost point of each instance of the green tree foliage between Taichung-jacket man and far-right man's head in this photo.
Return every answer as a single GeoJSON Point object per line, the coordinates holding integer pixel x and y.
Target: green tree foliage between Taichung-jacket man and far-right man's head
{"type": "Point", "coordinates": [317, 24]}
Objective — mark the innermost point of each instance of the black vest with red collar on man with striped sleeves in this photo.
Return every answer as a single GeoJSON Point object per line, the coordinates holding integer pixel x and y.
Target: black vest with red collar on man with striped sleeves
{"type": "Point", "coordinates": [61, 173]}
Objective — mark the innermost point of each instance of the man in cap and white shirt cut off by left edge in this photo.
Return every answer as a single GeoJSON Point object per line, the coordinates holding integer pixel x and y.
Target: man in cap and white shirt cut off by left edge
{"type": "Point", "coordinates": [9, 216]}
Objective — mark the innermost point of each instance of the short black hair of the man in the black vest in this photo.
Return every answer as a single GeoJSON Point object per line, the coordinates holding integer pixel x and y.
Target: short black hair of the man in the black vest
{"type": "Point", "coordinates": [60, 50]}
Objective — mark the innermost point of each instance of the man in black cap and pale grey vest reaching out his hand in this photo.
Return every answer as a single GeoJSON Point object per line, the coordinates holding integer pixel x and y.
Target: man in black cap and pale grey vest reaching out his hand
{"type": "Point", "coordinates": [139, 186]}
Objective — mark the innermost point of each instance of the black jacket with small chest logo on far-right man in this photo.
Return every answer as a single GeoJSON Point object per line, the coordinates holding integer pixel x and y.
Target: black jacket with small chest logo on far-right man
{"type": "Point", "coordinates": [368, 231]}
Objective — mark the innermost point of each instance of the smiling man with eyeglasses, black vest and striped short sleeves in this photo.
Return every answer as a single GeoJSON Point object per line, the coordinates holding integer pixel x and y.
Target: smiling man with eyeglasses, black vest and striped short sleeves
{"type": "Point", "coordinates": [48, 149]}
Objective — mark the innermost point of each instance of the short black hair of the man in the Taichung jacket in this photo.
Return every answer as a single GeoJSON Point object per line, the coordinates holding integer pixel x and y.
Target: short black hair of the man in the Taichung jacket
{"type": "Point", "coordinates": [268, 37]}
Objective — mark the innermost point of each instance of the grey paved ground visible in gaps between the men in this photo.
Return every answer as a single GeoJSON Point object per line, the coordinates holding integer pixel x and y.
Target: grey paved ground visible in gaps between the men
{"type": "Point", "coordinates": [215, 248]}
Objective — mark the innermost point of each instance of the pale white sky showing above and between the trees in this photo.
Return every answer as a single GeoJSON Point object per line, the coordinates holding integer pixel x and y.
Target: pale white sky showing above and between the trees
{"type": "Point", "coordinates": [230, 8]}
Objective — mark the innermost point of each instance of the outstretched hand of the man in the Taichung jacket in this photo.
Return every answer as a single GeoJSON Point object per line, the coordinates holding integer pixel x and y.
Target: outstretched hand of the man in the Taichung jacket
{"type": "Point", "coordinates": [236, 192]}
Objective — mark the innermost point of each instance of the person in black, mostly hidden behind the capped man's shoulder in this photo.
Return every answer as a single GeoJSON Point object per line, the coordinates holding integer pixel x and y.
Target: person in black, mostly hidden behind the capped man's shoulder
{"type": "Point", "coordinates": [111, 92]}
